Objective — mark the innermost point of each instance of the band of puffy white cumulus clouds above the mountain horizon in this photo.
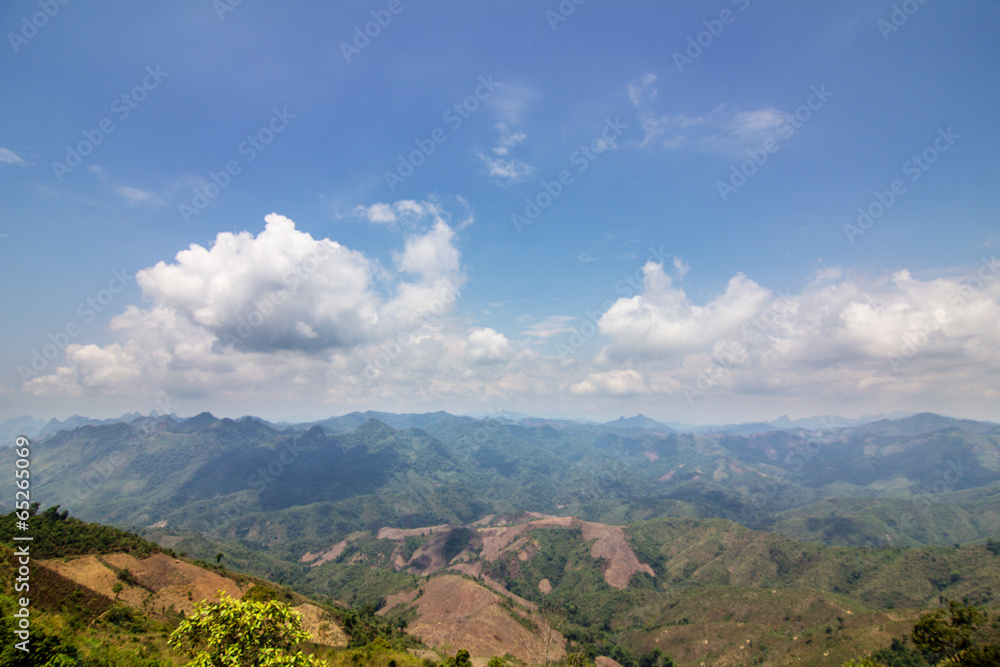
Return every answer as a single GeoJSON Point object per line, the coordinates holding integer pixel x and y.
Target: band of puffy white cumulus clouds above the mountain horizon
{"type": "Point", "coordinates": [285, 316]}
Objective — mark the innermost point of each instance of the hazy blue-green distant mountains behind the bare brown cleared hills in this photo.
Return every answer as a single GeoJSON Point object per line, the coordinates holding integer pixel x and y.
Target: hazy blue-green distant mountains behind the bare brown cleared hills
{"type": "Point", "coordinates": [921, 479]}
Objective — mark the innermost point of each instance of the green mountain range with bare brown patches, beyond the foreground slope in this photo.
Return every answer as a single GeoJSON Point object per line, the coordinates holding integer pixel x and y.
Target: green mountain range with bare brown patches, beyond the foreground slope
{"type": "Point", "coordinates": [614, 539]}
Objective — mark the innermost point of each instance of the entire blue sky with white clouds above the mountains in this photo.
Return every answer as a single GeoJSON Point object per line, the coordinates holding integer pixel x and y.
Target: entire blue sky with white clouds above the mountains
{"type": "Point", "coordinates": [695, 253]}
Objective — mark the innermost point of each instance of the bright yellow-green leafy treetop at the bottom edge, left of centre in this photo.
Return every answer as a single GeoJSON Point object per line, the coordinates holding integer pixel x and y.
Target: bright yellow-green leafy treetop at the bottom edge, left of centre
{"type": "Point", "coordinates": [242, 633]}
